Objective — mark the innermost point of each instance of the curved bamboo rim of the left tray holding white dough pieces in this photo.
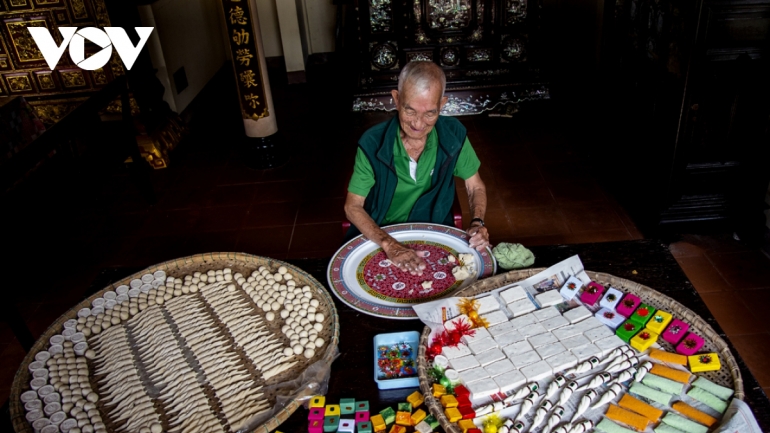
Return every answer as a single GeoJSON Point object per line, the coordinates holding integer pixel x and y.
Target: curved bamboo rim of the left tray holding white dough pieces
{"type": "Point", "coordinates": [16, 409]}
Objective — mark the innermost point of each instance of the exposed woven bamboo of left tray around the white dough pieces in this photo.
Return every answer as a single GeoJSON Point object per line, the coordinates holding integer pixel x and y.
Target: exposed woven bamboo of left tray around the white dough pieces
{"type": "Point", "coordinates": [238, 262]}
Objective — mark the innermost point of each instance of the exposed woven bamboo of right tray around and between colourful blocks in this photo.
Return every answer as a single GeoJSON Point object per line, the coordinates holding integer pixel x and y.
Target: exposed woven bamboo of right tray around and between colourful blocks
{"type": "Point", "coordinates": [729, 375]}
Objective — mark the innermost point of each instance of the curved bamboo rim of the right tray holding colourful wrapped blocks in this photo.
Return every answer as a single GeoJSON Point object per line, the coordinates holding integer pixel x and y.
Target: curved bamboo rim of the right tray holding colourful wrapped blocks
{"type": "Point", "coordinates": [514, 276]}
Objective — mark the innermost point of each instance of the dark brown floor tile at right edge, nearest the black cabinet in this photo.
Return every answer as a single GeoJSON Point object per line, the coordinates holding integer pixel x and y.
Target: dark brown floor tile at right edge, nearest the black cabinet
{"type": "Point", "coordinates": [743, 270]}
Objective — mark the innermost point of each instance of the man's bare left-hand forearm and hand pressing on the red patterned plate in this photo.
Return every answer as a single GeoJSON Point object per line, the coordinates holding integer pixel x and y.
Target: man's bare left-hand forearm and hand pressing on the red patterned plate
{"type": "Point", "coordinates": [404, 258]}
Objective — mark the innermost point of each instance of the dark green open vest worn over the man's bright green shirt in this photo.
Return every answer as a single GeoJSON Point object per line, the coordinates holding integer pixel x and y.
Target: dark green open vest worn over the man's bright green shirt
{"type": "Point", "coordinates": [435, 206]}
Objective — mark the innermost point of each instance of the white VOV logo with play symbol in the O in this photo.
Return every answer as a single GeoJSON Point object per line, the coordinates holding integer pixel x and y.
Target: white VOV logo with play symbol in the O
{"type": "Point", "coordinates": [75, 39]}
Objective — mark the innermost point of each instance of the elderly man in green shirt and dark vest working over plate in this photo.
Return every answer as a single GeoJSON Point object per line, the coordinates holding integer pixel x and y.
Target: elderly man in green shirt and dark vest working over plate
{"type": "Point", "coordinates": [405, 166]}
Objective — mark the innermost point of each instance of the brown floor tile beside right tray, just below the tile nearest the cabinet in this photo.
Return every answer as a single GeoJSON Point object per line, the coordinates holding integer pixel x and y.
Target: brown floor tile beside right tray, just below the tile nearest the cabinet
{"type": "Point", "coordinates": [732, 314]}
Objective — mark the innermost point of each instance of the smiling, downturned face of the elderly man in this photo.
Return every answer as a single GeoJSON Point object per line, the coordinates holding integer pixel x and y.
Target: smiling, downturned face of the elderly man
{"type": "Point", "coordinates": [418, 109]}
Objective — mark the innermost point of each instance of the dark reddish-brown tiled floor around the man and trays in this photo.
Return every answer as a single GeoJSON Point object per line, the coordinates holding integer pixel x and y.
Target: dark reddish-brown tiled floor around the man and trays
{"type": "Point", "coordinates": [542, 190]}
